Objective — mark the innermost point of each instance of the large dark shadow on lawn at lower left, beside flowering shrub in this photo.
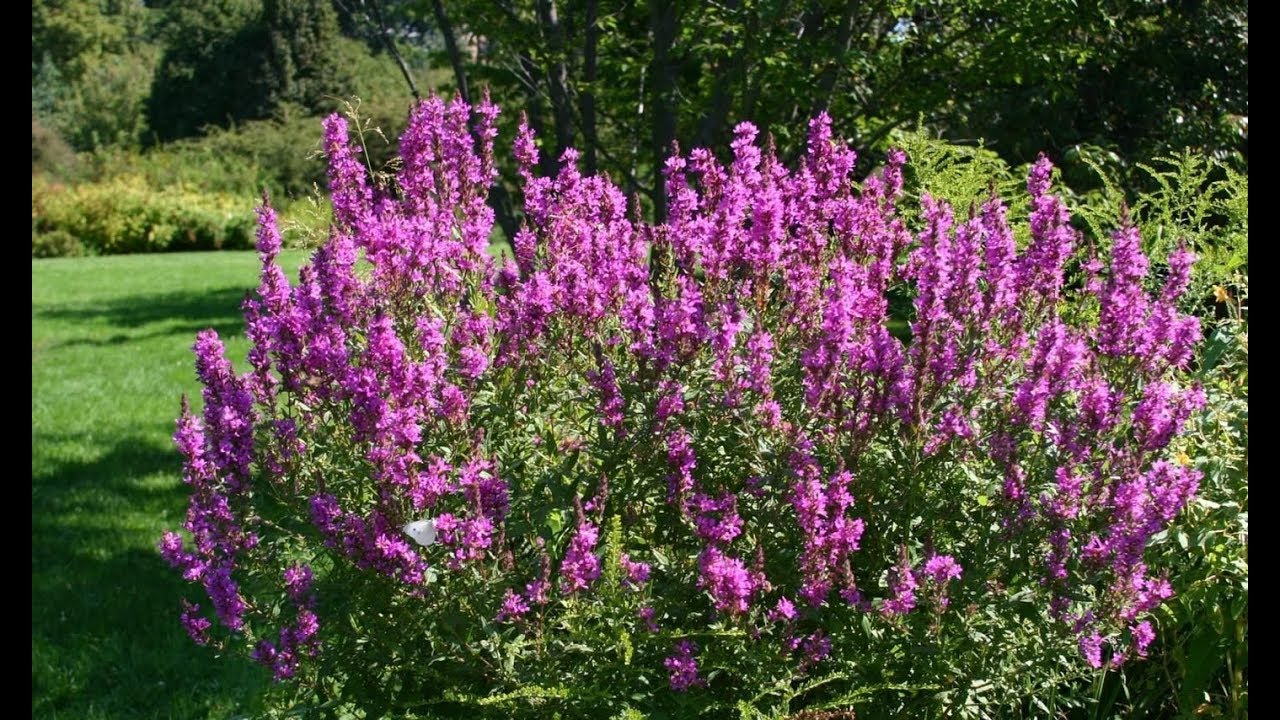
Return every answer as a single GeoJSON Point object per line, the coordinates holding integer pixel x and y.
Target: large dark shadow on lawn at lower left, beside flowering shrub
{"type": "Point", "coordinates": [104, 612]}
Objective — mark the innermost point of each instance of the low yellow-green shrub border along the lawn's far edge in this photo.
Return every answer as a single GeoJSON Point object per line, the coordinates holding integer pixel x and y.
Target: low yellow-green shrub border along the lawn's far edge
{"type": "Point", "coordinates": [126, 215]}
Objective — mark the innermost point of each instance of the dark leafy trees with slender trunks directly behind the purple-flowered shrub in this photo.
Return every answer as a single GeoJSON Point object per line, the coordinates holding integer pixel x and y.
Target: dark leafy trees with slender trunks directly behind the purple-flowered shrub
{"type": "Point", "coordinates": [621, 81]}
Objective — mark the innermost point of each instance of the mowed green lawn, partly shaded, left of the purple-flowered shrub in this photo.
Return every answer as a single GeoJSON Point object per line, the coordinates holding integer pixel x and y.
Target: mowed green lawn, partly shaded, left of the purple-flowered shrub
{"type": "Point", "coordinates": [111, 357]}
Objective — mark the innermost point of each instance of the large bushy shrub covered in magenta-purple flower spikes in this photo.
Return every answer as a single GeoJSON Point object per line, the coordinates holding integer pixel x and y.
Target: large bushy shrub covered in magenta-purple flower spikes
{"type": "Point", "coordinates": [781, 452]}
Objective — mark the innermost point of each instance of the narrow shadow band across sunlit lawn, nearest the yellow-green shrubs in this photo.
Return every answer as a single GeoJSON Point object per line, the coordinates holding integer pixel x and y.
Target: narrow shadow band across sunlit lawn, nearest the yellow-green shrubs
{"type": "Point", "coordinates": [182, 312]}
